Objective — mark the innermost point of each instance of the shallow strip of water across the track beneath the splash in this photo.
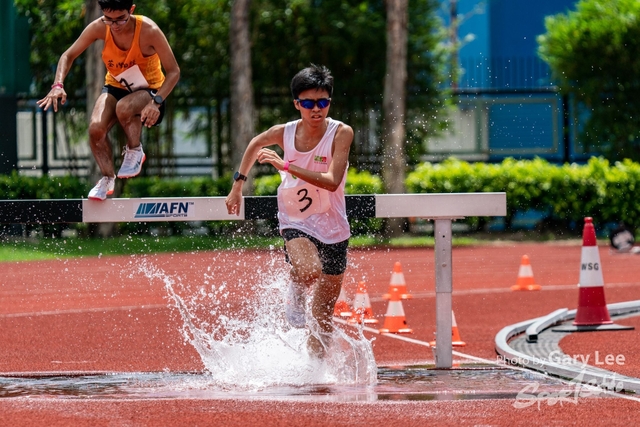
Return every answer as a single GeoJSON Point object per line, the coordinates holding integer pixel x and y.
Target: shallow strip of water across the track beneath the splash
{"type": "Point", "coordinates": [411, 383]}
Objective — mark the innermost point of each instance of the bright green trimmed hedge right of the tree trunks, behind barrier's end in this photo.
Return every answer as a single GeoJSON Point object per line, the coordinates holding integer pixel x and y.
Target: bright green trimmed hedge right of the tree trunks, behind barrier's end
{"type": "Point", "coordinates": [568, 193]}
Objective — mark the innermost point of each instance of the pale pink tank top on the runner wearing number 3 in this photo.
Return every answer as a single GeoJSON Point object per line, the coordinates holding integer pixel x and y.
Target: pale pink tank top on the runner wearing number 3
{"type": "Point", "coordinates": [305, 207]}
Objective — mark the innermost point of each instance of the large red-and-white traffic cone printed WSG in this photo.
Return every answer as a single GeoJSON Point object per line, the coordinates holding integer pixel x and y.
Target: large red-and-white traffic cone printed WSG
{"type": "Point", "coordinates": [592, 313]}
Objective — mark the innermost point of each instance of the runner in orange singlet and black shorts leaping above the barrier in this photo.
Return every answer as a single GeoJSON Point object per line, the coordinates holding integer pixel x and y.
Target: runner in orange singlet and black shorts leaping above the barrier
{"type": "Point", "coordinates": [135, 52]}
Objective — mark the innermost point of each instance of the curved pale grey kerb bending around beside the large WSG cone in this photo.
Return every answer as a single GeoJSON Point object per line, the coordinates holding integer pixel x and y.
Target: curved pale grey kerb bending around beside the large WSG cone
{"type": "Point", "coordinates": [575, 372]}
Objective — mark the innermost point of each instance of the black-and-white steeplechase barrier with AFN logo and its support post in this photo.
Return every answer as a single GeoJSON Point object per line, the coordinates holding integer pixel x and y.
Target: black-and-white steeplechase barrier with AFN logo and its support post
{"type": "Point", "coordinates": [440, 208]}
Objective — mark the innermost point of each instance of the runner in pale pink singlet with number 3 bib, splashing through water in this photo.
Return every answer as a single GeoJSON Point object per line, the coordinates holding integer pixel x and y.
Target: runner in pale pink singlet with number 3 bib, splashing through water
{"type": "Point", "coordinates": [311, 204]}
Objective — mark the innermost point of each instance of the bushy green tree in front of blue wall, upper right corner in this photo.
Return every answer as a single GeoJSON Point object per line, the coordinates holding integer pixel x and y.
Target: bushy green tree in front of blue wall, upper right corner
{"type": "Point", "coordinates": [594, 53]}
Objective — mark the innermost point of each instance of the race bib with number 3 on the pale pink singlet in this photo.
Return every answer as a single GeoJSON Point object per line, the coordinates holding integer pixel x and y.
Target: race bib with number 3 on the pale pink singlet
{"type": "Point", "coordinates": [305, 200]}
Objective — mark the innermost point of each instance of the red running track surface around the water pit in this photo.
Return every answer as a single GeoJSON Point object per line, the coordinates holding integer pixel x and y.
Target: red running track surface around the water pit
{"type": "Point", "coordinates": [92, 315]}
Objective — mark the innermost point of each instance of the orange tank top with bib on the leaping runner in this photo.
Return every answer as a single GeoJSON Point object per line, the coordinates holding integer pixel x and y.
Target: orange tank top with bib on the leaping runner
{"type": "Point", "coordinates": [130, 69]}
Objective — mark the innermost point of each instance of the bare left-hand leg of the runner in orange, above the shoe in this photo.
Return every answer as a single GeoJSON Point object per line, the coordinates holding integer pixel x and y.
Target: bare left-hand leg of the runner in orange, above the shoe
{"type": "Point", "coordinates": [102, 120]}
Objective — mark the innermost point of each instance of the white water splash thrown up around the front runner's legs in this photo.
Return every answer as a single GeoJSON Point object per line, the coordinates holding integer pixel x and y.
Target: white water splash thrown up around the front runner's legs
{"type": "Point", "coordinates": [239, 330]}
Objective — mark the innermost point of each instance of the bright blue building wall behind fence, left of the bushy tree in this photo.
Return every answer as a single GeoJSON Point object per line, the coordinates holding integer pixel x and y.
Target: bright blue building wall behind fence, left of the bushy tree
{"type": "Point", "coordinates": [520, 111]}
